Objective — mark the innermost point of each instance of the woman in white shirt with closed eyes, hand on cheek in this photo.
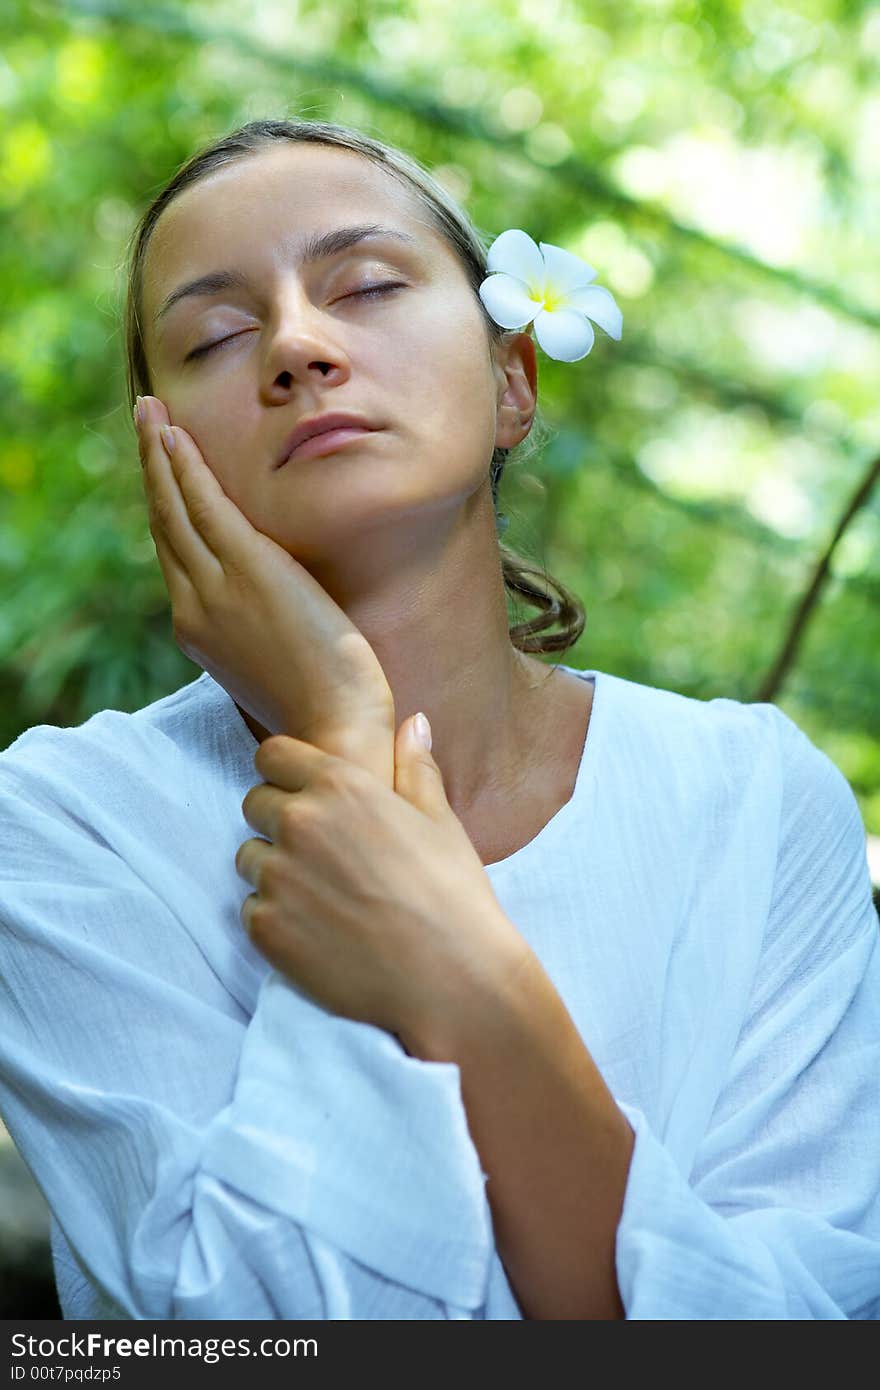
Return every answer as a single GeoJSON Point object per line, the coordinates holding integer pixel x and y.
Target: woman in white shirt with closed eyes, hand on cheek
{"type": "Point", "coordinates": [575, 1014]}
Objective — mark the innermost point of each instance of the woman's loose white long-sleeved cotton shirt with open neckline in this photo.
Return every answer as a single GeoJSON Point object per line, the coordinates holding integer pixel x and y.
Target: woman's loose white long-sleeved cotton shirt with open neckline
{"type": "Point", "coordinates": [215, 1145]}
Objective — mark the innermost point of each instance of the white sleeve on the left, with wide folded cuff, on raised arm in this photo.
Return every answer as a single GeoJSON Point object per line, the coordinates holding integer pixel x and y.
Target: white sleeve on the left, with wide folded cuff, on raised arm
{"type": "Point", "coordinates": [202, 1164]}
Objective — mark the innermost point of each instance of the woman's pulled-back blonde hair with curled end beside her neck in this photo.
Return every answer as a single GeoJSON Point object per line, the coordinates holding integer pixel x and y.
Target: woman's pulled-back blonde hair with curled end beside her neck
{"type": "Point", "coordinates": [558, 607]}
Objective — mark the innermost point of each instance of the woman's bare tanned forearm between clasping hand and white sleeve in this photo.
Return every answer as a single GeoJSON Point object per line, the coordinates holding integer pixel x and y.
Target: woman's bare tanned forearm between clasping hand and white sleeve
{"type": "Point", "coordinates": [554, 1143]}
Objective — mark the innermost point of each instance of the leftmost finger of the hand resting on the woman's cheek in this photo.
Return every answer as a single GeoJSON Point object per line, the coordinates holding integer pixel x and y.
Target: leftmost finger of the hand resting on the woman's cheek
{"type": "Point", "coordinates": [190, 558]}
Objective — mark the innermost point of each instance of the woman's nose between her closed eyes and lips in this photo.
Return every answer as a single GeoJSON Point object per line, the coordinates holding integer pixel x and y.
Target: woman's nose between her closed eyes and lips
{"type": "Point", "coordinates": [304, 347]}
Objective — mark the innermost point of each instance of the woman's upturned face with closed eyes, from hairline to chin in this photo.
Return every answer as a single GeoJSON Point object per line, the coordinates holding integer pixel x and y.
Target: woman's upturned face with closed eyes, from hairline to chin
{"type": "Point", "coordinates": [297, 338]}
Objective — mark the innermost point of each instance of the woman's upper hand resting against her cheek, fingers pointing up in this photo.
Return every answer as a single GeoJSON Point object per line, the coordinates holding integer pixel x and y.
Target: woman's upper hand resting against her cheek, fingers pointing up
{"type": "Point", "coordinates": [254, 618]}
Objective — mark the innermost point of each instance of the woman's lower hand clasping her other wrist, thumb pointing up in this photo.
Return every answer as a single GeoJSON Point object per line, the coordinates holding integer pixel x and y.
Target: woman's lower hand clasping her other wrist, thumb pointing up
{"type": "Point", "coordinates": [375, 901]}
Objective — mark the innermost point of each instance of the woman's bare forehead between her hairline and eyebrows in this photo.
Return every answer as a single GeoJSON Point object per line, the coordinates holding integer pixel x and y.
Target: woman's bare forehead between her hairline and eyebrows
{"type": "Point", "coordinates": [269, 204]}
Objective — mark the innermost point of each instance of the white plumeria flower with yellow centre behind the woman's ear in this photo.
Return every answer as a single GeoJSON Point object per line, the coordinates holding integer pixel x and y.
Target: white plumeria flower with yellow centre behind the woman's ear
{"type": "Point", "coordinates": [554, 290]}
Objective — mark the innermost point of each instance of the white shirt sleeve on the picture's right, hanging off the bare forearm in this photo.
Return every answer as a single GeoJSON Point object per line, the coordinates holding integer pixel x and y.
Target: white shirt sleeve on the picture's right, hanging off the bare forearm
{"type": "Point", "coordinates": [781, 1216]}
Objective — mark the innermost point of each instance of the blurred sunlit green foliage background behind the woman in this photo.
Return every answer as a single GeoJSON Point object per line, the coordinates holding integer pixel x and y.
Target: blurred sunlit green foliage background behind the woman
{"type": "Point", "coordinates": [714, 162]}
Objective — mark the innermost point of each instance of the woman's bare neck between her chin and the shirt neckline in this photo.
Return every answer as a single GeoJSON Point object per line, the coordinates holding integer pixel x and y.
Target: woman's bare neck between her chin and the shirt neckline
{"type": "Point", "coordinates": [434, 612]}
